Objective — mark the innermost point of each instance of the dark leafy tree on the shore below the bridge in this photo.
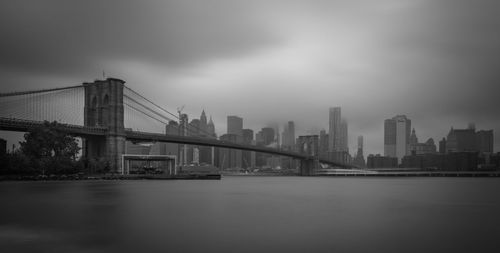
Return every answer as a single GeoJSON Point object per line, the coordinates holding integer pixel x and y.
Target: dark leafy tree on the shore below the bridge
{"type": "Point", "coordinates": [50, 150]}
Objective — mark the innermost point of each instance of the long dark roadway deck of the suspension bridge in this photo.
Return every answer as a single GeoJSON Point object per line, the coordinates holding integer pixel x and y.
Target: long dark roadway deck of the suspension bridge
{"type": "Point", "coordinates": [10, 124]}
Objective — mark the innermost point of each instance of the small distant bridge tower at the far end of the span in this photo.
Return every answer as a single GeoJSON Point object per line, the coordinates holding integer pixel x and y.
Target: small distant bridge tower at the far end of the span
{"type": "Point", "coordinates": [309, 145]}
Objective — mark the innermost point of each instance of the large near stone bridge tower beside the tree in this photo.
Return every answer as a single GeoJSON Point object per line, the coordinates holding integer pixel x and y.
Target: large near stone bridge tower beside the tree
{"type": "Point", "coordinates": [104, 108]}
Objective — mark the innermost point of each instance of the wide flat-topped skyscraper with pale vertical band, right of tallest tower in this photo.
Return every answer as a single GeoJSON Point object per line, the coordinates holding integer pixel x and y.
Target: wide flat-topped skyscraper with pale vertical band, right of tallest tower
{"type": "Point", "coordinates": [397, 136]}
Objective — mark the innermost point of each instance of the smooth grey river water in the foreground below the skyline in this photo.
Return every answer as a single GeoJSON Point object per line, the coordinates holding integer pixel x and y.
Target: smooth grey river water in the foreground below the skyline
{"type": "Point", "coordinates": [252, 214]}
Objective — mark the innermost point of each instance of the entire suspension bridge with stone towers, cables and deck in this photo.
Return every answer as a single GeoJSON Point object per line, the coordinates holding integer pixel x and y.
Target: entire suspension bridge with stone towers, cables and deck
{"type": "Point", "coordinates": [107, 113]}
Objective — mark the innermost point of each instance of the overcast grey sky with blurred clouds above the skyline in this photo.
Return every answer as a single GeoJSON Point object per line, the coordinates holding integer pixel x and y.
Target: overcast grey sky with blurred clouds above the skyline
{"type": "Point", "coordinates": [436, 61]}
